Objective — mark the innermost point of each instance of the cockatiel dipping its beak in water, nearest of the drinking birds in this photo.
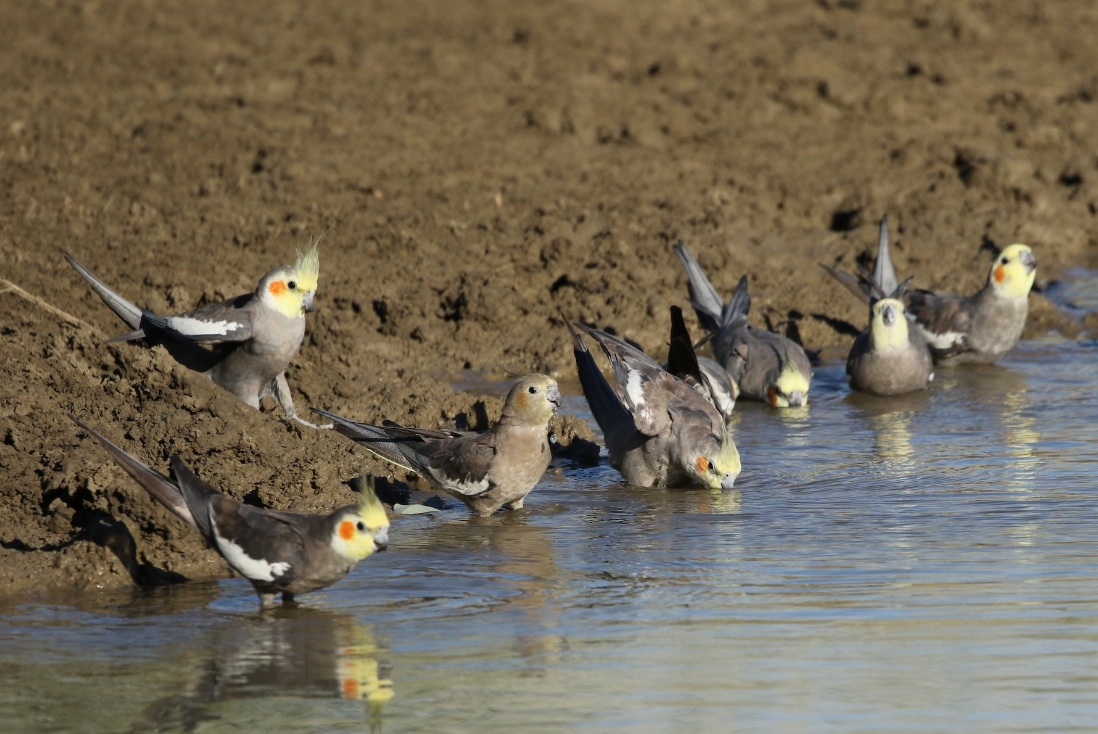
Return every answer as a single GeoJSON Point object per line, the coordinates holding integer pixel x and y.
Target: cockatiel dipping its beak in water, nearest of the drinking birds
{"type": "Point", "coordinates": [659, 431]}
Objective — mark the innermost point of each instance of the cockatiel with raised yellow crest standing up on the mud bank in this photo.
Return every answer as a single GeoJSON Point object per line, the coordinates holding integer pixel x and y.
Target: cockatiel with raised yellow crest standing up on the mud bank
{"type": "Point", "coordinates": [244, 344]}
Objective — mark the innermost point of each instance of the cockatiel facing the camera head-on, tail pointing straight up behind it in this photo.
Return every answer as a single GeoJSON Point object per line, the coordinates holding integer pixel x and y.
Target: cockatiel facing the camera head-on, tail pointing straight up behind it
{"type": "Point", "coordinates": [891, 357]}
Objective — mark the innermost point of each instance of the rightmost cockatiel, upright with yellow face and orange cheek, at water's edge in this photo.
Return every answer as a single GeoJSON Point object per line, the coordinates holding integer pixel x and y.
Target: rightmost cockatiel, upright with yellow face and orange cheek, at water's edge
{"type": "Point", "coordinates": [970, 329]}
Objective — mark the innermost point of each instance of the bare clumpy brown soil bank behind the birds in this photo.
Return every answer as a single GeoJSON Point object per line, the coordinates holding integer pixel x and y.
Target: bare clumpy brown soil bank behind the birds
{"type": "Point", "coordinates": [476, 168]}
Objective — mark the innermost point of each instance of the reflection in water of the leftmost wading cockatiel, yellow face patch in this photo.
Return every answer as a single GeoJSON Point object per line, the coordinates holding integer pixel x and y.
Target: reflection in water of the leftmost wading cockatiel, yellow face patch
{"type": "Point", "coordinates": [295, 652]}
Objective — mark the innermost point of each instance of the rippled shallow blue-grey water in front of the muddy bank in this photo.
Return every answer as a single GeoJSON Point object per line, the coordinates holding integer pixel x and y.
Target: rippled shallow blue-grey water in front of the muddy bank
{"type": "Point", "coordinates": [914, 565]}
